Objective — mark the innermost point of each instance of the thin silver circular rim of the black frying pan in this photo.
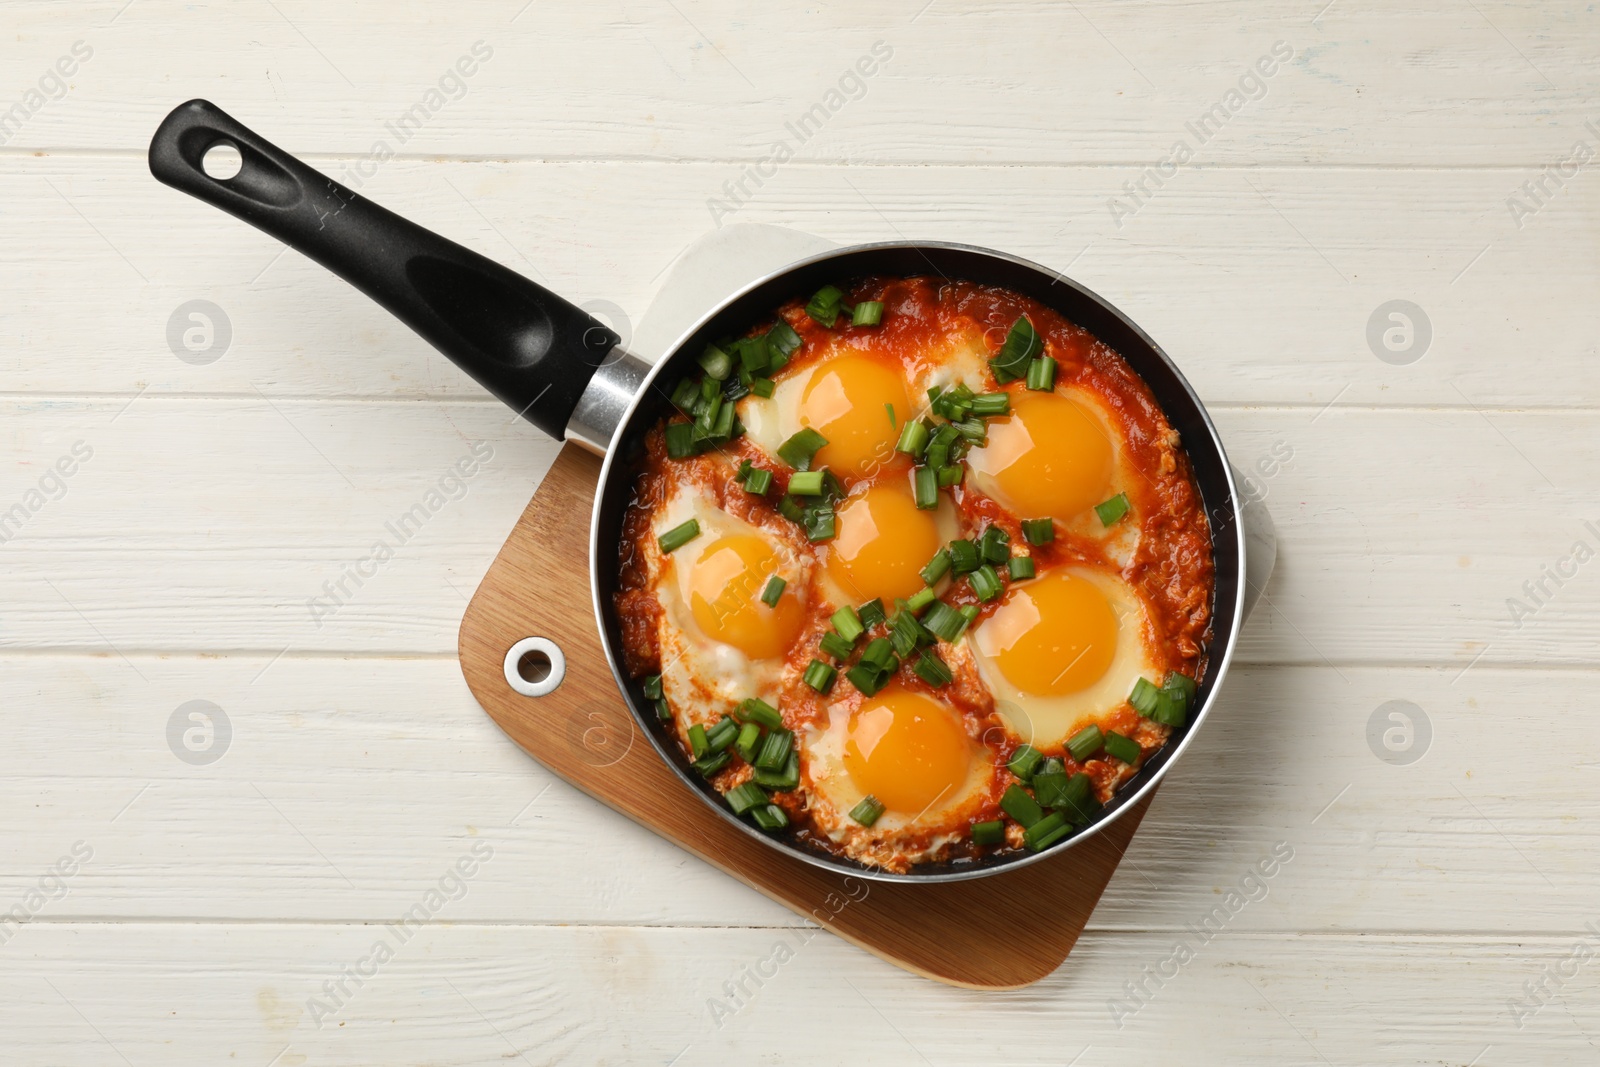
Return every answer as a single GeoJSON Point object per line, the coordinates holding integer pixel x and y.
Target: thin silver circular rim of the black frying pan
{"type": "Point", "coordinates": [1126, 802]}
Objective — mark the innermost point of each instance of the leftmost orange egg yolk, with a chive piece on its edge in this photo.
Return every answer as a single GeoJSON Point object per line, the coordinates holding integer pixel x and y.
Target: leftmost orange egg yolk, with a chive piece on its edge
{"type": "Point", "coordinates": [726, 597]}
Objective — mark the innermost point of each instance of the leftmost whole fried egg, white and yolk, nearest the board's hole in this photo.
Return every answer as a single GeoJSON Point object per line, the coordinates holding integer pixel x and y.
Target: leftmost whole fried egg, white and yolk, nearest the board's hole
{"type": "Point", "coordinates": [719, 642]}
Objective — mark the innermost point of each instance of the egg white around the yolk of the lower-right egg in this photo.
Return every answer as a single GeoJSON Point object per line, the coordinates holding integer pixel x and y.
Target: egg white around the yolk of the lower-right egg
{"type": "Point", "coordinates": [1046, 722]}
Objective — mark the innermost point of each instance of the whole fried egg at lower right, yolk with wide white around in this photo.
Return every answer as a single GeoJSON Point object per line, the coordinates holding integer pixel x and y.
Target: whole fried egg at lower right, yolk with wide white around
{"type": "Point", "coordinates": [1063, 652]}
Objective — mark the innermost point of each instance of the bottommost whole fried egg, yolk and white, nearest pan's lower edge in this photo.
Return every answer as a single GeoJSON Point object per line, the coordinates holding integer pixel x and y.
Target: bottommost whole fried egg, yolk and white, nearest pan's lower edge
{"type": "Point", "coordinates": [908, 749]}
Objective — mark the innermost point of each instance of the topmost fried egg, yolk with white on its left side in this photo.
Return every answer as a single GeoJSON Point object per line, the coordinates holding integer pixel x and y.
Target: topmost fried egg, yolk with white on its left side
{"type": "Point", "coordinates": [857, 401]}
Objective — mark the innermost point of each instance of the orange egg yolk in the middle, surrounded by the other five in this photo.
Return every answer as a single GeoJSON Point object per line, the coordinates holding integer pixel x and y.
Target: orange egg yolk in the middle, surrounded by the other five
{"type": "Point", "coordinates": [882, 543]}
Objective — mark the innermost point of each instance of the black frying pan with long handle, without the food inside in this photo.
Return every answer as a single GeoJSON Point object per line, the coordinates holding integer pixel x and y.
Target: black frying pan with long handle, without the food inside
{"type": "Point", "coordinates": [569, 375]}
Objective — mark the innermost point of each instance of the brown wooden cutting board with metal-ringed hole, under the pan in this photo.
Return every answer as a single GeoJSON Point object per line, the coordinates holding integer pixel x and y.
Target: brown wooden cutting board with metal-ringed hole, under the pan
{"type": "Point", "coordinates": [991, 933]}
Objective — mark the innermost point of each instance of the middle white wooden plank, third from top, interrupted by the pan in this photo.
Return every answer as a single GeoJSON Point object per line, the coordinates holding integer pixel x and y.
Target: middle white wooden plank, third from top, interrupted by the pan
{"type": "Point", "coordinates": [215, 526]}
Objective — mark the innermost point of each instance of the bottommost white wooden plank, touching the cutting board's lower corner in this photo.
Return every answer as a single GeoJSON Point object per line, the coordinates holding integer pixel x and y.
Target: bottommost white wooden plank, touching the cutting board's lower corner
{"type": "Point", "coordinates": [468, 994]}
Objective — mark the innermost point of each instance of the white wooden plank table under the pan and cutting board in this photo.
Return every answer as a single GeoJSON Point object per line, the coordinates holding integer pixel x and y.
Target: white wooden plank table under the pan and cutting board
{"type": "Point", "coordinates": [1441, 901]}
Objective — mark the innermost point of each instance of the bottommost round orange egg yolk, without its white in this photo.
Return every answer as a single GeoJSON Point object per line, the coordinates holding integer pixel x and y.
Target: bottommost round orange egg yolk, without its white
{"type": "Point", "coordinates": [908, 751]}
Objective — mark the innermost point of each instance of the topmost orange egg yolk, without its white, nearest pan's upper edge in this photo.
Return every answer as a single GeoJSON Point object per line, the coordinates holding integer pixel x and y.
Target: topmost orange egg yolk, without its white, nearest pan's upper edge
{"type": "Point", "coordinates": [849, 402]}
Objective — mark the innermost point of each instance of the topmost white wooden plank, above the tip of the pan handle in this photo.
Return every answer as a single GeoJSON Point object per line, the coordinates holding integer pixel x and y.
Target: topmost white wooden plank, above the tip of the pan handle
{"type": "Point", "coordinates": [996, 82]}
